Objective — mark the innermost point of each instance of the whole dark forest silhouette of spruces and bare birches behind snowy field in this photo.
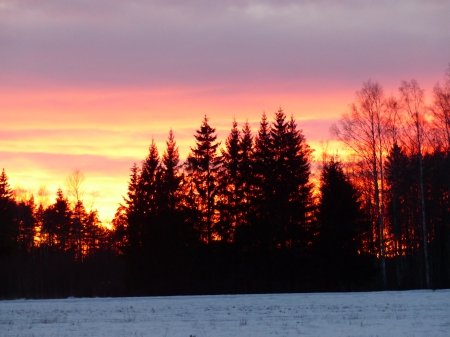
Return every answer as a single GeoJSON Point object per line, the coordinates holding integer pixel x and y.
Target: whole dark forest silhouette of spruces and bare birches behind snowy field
{"type": "Point", "coordinates": [246, 216]}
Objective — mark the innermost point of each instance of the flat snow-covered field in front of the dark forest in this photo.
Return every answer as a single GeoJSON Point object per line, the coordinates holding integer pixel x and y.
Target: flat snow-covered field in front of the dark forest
{"type": "Point", "coordinates": [409, 313]}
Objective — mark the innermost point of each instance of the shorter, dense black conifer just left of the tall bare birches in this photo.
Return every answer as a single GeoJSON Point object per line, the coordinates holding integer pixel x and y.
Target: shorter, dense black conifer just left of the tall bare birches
{"type": "Point", "coordinates": [342, 227]}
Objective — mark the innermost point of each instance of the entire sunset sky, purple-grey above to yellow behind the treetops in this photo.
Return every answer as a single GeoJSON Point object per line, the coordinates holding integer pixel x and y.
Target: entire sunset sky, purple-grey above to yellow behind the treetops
{"type": "Point", "coordinates": [85, 85]}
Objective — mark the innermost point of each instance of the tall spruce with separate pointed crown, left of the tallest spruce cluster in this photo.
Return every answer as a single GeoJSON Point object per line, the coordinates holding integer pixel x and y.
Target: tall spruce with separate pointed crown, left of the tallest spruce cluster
{"type": "Point", "coordinates": [204, 165]}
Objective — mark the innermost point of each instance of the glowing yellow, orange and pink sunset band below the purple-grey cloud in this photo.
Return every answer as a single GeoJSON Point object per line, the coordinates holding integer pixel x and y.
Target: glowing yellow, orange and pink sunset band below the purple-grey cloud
{"type": "Point", "coordinates": [48, 136]}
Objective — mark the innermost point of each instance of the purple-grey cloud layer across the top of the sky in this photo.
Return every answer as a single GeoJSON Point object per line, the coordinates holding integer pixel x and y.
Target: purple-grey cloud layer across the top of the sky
{"type": "Point", "coordinates": [164, 43]}
